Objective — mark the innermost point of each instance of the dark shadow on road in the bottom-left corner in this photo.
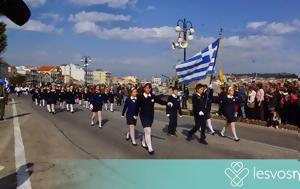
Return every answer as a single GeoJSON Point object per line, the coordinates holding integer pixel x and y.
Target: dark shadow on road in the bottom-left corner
{"type": "Point", "coordinates": [11, 182]}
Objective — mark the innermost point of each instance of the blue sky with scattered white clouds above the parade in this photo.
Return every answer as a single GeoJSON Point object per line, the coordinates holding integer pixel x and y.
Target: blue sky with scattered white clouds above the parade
{"type": "Point", "coordinates": [133, 36]}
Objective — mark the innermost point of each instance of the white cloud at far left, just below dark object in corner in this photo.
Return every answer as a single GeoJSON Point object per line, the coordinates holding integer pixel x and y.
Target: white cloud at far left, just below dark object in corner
{"type": "Point", "coordinates": [32, 25]}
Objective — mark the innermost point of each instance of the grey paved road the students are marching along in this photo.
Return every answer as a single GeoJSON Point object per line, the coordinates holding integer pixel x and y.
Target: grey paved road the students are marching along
{"type": "Point", "coordinates": [50, 139]}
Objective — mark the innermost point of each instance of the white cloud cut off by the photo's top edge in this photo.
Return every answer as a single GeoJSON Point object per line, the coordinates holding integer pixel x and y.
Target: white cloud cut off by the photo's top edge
{"type": "Point", "coordinates": [110, 3]}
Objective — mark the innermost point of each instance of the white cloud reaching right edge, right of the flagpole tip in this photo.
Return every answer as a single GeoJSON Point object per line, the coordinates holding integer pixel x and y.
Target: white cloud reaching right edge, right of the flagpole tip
{"type": "Point", "coordinates": [275, 28]}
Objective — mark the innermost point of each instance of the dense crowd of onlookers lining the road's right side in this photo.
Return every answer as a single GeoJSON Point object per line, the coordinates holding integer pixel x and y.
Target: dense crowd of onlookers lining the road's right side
{"type": "Point", "coordinates": [275, 103]}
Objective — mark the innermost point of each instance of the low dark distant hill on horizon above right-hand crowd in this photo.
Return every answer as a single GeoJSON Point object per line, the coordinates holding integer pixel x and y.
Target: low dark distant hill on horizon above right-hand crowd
{"type": "Point", "coordinates": [269, 75]}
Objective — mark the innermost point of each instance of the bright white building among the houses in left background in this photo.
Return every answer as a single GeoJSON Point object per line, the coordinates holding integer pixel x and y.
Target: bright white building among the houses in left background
{"type": "Point", "coordinates": [73, 71]}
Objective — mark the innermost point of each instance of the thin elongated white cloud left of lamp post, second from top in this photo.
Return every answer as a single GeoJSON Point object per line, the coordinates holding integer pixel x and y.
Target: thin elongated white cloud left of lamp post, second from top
{"type": "Point", "coordinates": [97, 17]}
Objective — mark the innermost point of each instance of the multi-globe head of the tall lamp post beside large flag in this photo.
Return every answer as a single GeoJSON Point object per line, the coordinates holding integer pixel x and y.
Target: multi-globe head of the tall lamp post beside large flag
{"type": "Point", "coordinates": [185, 32]}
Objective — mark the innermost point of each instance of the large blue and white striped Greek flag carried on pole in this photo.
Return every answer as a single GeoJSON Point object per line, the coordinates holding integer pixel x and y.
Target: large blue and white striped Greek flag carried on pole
{"type": "Point", "coordinates": [198, 66]}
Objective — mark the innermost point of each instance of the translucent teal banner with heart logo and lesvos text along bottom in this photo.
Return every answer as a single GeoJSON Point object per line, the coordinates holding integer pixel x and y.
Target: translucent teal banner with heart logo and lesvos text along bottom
{"type": "Point", "coordinates": [180, 174]}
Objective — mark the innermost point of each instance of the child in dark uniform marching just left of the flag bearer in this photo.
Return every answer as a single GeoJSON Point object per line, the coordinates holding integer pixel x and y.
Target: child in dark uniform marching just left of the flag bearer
{"type": "Point", "coordinates": [172, 109]}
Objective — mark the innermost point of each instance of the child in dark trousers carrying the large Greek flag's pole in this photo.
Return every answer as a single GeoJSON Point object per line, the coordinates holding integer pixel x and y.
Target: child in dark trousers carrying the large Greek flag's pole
{"type": "Point", "coordinates": [200, 114]}
